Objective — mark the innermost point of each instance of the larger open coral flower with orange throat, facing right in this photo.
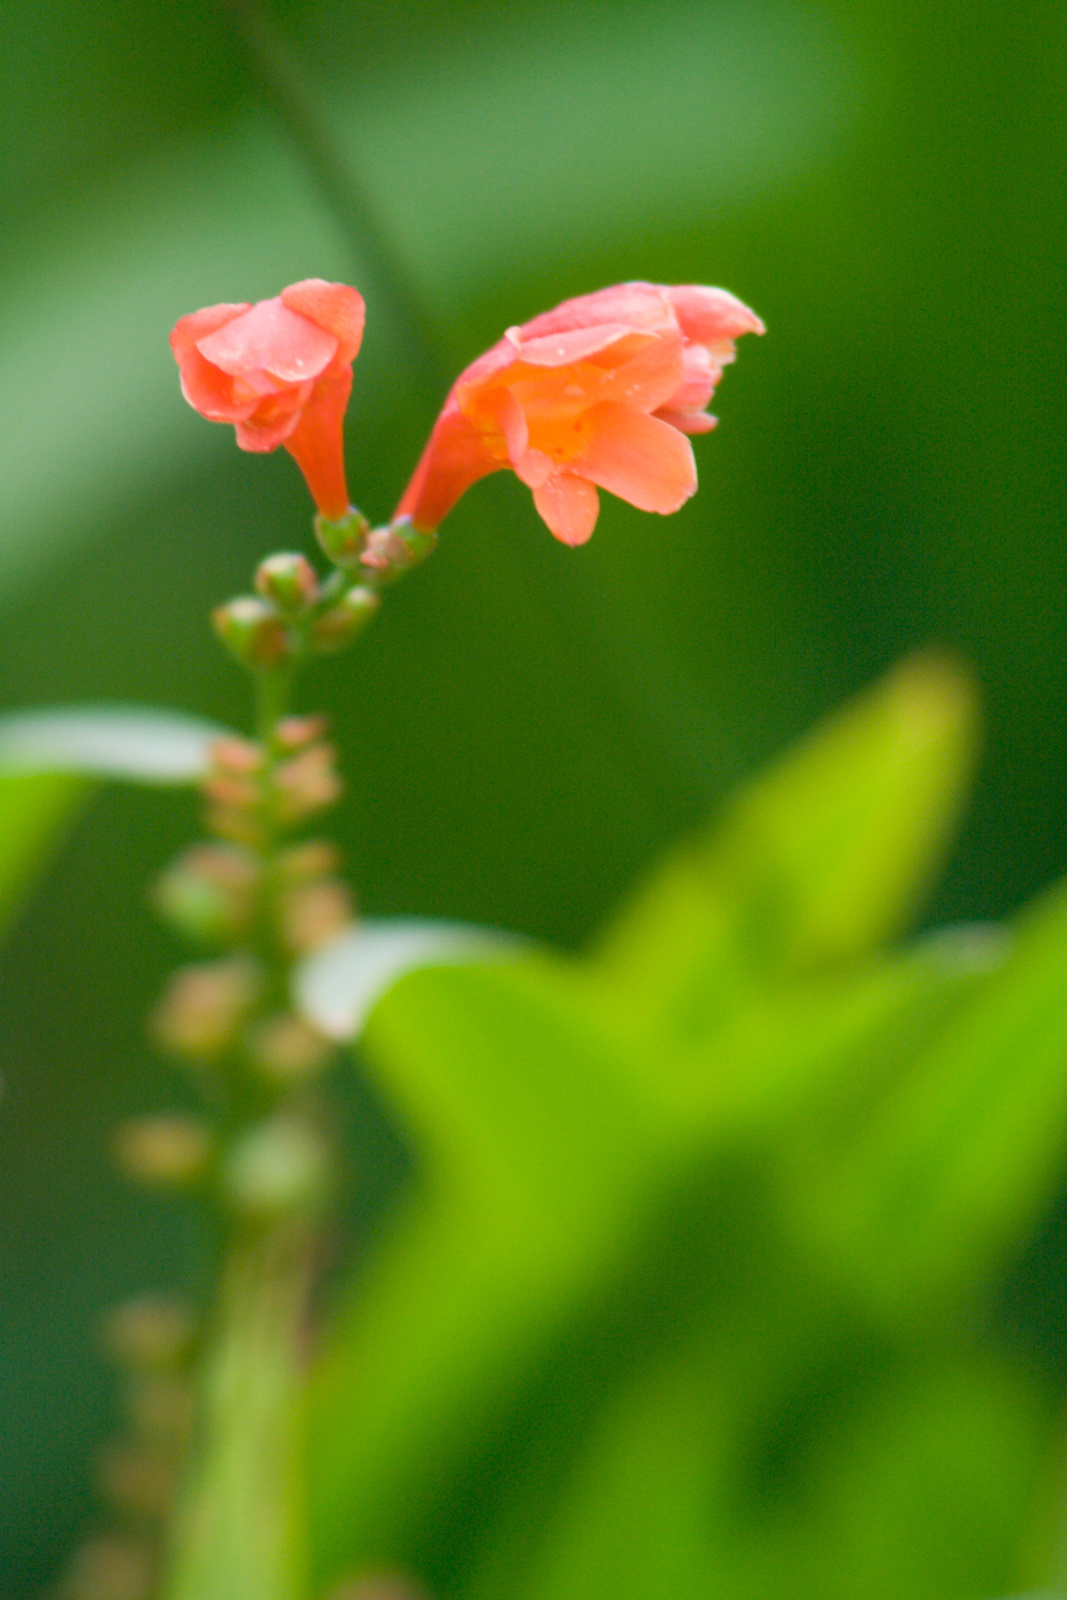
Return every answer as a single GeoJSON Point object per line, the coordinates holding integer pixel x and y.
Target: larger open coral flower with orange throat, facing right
{"type": "Point", "coordinates": [596, 394]}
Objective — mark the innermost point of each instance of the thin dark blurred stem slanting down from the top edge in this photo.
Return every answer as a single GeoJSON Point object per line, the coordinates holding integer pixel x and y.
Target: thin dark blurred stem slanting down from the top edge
{"type": "Point", "coordinates": [284, 86]}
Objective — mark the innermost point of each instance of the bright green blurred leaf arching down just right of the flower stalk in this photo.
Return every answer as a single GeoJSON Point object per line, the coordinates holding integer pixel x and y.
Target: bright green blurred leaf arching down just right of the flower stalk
{"type": "Point", "coordinates": [530, 1146]}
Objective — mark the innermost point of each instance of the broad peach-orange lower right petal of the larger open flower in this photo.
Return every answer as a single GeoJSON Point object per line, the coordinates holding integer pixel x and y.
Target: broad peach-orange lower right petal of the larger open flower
{"type": "Point", "coordinates": [639, 458]}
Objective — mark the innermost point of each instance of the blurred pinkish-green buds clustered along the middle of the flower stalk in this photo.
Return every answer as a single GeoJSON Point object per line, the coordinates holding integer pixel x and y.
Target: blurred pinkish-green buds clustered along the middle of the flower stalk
{"type": "Point", "coordinates": [258, 900]}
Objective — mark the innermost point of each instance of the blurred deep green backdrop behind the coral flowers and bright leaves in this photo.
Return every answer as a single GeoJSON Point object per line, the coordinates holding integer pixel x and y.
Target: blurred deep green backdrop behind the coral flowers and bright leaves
{"type": "Point", "coordinates": [526, 726]}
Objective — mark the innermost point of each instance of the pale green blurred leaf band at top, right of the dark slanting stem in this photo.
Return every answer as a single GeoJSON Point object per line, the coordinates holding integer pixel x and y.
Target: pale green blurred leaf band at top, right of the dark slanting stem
{"type": "Point", "coordinates": [721, 103]}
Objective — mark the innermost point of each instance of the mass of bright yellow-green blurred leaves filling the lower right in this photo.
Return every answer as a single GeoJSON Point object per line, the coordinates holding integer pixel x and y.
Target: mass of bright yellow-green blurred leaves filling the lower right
{"type": "Point", "coordinates": [674, 1303]}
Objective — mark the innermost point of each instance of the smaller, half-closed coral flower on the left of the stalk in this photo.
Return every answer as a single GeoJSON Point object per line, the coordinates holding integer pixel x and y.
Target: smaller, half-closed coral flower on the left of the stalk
{"type": "Point", "coordinates": [282, 374]}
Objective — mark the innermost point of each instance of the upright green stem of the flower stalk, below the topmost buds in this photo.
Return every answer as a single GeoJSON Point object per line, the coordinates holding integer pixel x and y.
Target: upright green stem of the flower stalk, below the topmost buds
{"type": "Point", "coordinates": [239, 1532]}
